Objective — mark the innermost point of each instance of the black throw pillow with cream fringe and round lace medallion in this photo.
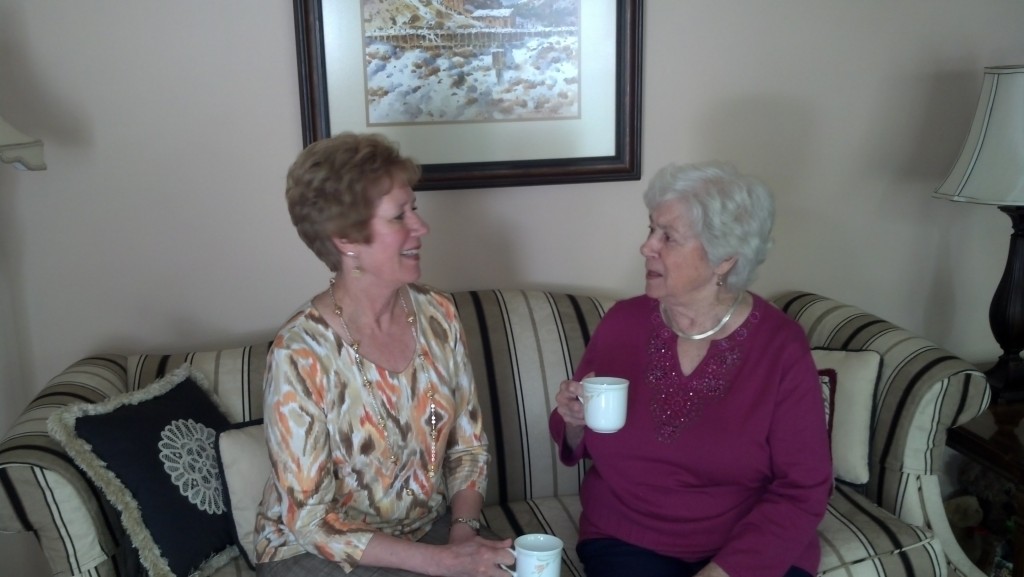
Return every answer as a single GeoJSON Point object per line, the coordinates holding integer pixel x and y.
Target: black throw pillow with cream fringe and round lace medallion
{"type": "Point", "coordinates": [152, 454]}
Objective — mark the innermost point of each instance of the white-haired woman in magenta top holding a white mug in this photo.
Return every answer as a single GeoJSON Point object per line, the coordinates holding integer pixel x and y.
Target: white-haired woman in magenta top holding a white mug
{"type": "Point", "coordinates": [723, 467]}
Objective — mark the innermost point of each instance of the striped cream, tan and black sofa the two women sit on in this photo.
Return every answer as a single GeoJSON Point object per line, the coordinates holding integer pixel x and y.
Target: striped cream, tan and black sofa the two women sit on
{"type": "Point", "coordinates": [523, 345]}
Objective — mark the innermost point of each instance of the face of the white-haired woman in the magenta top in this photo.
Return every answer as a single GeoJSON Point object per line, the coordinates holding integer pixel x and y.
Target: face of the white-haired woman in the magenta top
{"type": "Point", "coordinates": [677, 267]}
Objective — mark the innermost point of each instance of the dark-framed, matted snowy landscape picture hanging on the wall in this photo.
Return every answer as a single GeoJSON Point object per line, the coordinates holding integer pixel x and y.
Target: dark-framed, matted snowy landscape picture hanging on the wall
{"type": "Point", "coordinates": [481, 93]}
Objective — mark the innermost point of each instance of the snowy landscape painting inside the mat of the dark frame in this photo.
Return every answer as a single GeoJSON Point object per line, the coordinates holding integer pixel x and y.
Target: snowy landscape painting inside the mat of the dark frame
{"type": "Point", "coordinates": [472, 61]}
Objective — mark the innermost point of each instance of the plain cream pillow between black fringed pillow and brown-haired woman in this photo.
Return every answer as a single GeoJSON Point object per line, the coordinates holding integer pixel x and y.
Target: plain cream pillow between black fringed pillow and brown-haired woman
{"type": "Point", "coordinates": [243, 456]}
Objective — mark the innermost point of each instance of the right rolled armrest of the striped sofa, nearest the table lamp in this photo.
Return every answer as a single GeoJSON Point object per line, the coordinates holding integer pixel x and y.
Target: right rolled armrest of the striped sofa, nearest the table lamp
{"type": "Point", "coordinates": [923, 392]}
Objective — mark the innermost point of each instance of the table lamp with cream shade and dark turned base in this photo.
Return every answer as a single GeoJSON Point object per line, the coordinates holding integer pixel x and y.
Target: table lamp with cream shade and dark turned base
{"type": "Point", "coordinates": [991, 171]}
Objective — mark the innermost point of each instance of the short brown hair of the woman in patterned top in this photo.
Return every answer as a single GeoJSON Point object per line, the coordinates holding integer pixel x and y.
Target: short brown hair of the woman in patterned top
{"type": "Point", "coordinates": [334, 185]}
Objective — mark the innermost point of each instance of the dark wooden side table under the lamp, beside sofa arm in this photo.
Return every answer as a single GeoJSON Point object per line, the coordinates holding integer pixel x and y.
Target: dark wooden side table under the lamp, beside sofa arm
{"type": "Point", "coordinates": [996, 441]}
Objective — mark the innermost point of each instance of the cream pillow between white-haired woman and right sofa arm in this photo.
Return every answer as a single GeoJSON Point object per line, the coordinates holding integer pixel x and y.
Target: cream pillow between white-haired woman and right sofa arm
{"type": "Point", "coordinates": [848, 383]}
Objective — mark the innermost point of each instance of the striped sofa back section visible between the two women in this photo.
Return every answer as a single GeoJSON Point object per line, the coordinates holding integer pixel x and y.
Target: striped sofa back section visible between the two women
{"type": "Point", "coordinates": [523, 345]}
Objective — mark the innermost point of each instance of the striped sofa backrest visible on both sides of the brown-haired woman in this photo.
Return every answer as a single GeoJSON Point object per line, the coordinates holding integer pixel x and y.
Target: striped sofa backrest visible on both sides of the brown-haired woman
{"type": "Point", "coordinates": [522, 345]}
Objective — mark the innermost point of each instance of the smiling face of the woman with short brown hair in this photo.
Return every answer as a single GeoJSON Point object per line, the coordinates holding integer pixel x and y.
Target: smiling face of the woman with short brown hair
{"type": "Point", "coordinates": [393, 257]}
